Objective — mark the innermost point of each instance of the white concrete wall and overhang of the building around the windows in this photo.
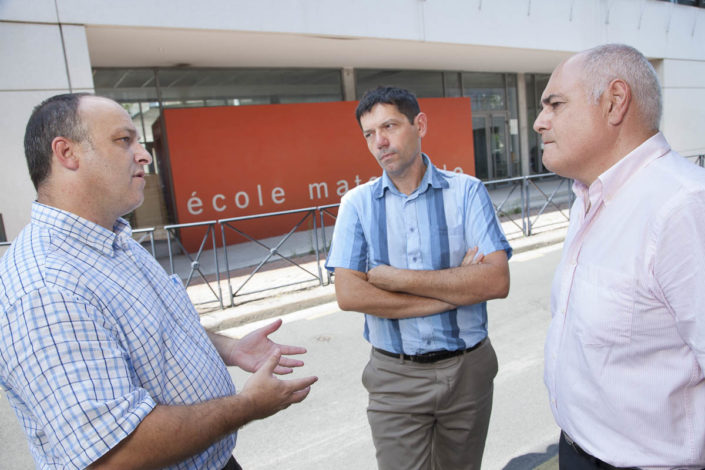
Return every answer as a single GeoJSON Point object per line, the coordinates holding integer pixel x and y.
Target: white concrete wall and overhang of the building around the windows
{"type": "Point", "coordinates": [39, 58]}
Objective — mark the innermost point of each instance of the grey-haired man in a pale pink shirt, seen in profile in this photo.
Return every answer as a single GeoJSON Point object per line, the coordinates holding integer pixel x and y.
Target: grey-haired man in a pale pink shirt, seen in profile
{"type": "Point", "coordinates": [625, 351]}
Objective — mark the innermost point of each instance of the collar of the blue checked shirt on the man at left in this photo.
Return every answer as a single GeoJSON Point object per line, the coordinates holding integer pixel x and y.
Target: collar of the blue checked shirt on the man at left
{"type": "Point", "coordinates": [87, 232]}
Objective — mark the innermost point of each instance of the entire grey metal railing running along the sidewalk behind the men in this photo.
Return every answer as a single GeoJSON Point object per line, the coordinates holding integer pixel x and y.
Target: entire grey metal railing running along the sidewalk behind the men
{"type": "Point", "coordinates": [537, 194]}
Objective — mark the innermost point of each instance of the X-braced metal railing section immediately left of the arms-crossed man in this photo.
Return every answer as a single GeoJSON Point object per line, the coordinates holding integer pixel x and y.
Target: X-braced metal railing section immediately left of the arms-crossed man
{"type": "Point", "coordinates": [272, 251]}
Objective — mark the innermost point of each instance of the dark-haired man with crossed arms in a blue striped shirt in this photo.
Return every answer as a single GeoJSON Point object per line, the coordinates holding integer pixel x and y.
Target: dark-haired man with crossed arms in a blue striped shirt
{"type": "Point", "coordinates": [408, 252]}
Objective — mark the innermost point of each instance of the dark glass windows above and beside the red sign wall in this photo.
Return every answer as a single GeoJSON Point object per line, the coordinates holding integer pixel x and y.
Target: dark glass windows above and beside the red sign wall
{"type": "Point", "coordinates": [145, 92]}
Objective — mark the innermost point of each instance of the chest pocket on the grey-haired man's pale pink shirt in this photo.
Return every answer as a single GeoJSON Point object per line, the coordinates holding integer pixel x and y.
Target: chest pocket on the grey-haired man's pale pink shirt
{"type": "Point", "coordinates": [602, 303]}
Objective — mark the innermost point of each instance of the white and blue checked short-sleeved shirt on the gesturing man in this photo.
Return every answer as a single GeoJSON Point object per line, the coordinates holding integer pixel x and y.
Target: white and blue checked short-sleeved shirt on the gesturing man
{"type": "Point", "coordinates": [93, 335]}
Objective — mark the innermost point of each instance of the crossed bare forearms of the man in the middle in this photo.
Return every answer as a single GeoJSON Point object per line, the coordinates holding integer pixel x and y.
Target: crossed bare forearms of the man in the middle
{"type": "Point", "coordinates": [390, 292]}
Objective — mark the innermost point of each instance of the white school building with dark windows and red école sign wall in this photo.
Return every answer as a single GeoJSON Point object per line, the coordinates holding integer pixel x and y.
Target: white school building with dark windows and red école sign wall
{"type": "Point", "coordinates": [271, 65]}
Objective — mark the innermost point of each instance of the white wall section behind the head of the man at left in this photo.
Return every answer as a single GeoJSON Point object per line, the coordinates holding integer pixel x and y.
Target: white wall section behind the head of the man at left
{"type": "Point", "coordinates": [36, 63]}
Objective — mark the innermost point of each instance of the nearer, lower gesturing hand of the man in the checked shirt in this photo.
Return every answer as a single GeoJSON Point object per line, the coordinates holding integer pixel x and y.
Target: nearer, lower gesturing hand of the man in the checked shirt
{"type": "Point", "coordinates": [267, 395]}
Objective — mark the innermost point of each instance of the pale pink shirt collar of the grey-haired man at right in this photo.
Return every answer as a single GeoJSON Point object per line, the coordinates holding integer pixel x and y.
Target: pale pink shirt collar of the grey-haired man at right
{"type": "Point", "coordinates": [608, 184]}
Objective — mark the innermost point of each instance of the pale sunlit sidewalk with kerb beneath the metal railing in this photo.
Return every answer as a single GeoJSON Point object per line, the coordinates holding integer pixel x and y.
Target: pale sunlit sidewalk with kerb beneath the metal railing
{"type": "Point", "coordinates": [261, 302]}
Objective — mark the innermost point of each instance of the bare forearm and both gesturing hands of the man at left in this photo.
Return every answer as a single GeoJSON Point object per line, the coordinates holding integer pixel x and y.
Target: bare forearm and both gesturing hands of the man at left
{"type": "Point", "coordinates": [170, 434]}
